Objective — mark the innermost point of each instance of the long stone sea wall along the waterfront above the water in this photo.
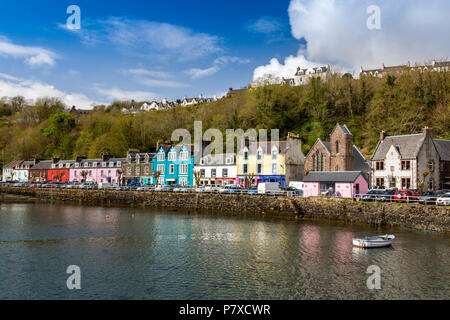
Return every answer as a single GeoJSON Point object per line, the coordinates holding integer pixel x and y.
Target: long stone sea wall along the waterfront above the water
{"type": "Point", "coordinates": [415, 216]}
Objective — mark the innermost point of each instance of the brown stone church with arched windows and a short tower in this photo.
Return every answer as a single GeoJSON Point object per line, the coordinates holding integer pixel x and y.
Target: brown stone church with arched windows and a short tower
{"type": "Point", "coordinates": [339, 154]}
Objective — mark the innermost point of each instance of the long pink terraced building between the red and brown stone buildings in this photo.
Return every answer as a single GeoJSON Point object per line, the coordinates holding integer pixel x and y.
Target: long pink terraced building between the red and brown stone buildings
{"type": "Point", "coordinates": [105, 170]}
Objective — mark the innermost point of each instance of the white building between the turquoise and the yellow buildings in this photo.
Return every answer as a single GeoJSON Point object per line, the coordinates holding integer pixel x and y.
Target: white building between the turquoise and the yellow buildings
{"type": "Point", "coordinates": [217, 169]}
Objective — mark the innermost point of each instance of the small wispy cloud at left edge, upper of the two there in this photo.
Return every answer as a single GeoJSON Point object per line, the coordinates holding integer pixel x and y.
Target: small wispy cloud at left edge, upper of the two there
{"type": "Point", "coordinates": [33, 56]}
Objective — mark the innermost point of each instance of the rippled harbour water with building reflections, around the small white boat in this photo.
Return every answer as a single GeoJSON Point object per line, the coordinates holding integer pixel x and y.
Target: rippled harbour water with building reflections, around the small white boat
{"type": "Point", "coordinates": [129, 253]}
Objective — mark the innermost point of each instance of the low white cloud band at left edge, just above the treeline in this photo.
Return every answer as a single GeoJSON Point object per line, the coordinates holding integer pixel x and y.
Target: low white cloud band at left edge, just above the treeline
{"type": "Point", "coordinates": [12, 86]}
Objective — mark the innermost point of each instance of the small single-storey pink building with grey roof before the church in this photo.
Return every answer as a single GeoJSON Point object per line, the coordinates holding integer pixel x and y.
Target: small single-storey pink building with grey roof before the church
{"type": "Point", "coordinates": [345, 184]}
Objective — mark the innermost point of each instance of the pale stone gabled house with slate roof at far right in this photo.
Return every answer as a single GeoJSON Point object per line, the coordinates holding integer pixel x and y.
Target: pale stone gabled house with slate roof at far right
{"type": "Point", "coordinates": [401, 161]}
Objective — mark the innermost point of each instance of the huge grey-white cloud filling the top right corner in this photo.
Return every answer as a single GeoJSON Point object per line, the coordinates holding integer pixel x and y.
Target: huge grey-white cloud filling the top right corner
{"type": "Point", "coordinates": [336, 32]}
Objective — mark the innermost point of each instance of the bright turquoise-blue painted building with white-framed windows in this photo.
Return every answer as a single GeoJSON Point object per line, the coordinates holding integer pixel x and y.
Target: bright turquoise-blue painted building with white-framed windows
{"type": "Point", "coordinates": [175, 163]}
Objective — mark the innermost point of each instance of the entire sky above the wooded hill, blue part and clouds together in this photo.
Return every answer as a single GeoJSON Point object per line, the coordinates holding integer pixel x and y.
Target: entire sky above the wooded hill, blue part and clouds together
{"type": "Point", "coordinates": [154, 49]}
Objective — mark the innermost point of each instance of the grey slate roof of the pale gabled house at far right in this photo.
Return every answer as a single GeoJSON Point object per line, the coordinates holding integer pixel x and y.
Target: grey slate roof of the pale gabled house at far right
{"type": "Point", "coordinates": [407, 145]}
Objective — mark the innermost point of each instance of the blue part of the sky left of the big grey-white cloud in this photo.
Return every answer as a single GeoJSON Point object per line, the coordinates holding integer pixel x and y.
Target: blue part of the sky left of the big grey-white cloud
{"type": "Point", "coordinates": [128, 49]}
